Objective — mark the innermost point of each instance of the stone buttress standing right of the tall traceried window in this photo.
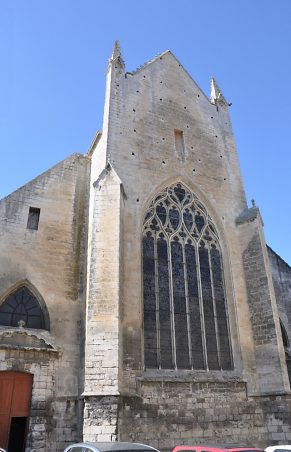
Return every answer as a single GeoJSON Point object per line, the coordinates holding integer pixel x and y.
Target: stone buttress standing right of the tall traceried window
{"type": "Point", "coordinates": [270, 364]}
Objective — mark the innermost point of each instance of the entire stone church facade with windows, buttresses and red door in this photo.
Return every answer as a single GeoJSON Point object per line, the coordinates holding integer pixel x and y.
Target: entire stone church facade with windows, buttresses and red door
{"type": "Point", "coordinates": [138, 298]}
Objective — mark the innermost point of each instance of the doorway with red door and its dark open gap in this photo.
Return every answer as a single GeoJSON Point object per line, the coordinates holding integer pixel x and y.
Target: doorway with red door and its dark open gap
{"type": "Point", "coordinates": [15, 397]}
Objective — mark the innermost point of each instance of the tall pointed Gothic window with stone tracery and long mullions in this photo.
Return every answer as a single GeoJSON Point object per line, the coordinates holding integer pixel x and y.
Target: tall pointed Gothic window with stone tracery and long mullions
{"type": "Point", "coordinates": [185, 315]}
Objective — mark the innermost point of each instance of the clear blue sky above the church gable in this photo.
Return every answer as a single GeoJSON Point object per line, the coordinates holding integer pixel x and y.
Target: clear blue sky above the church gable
{"type": "Point", "coordinates": [53, 60]}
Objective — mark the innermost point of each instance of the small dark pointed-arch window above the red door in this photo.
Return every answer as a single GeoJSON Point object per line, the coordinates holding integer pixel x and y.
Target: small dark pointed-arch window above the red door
{"type": "Point", "coordinates": [22, 308]}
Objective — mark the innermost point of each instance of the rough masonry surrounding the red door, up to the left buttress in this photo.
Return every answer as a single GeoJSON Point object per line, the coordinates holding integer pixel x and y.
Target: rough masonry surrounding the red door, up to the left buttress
{"type": "Point", "coordinates": [54, 421]}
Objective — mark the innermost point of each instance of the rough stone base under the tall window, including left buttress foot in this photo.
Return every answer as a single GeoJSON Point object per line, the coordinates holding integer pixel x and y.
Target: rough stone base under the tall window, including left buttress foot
{"type": "Point", "coordinates": [167, 414]}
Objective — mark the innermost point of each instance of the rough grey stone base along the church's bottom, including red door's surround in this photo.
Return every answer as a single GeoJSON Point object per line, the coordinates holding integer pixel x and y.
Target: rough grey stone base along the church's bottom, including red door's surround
{"type": "Point", "coordinates": [163, 414]}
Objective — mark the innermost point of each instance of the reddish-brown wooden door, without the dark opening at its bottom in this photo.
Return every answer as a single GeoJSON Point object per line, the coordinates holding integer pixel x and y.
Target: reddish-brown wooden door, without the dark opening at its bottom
{"type": "Point", "coordinates": [15, 398]}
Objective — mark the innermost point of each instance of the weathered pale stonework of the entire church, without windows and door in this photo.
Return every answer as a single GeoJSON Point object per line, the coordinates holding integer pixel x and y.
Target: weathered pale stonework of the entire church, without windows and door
{"type": "Point", "coordinates": [84, 264]}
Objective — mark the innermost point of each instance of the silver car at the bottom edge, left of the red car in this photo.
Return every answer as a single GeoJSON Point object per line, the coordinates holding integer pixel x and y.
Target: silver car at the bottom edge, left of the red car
{"type": "Point", "coordinates": [110, 447]}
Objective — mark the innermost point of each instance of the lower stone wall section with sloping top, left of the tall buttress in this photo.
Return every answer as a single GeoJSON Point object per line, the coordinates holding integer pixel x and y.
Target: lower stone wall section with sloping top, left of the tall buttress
{"type": "Point", "coordinates": [50, 261]}
